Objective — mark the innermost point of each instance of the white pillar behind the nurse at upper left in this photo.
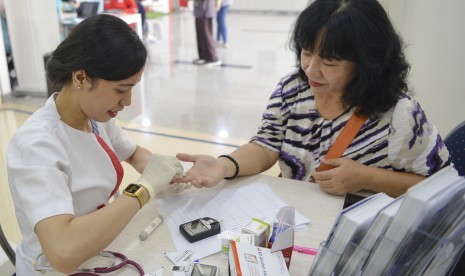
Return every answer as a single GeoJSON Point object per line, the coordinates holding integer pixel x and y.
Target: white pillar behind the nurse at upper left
{"type": "Point", "coordinates": [34, 31]}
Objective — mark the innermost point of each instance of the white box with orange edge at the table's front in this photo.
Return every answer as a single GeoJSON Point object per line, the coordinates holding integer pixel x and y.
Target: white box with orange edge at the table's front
{"type": "Point", "coordinates": [248, 260]}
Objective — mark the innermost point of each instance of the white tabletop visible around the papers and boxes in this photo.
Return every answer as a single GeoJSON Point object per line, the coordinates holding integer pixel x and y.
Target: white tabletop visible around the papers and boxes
{"type": "Point", "coordinates": [321, 208]}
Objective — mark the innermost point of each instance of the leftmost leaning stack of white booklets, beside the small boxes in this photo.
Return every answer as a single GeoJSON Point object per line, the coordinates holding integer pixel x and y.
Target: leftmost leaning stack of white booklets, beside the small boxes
{"type": "Point", "coordinates": [350, 226]}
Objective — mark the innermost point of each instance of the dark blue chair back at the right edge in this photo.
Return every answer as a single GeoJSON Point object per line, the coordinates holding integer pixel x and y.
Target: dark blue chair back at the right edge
{"type": "Point", "coordinates": [455, 143]}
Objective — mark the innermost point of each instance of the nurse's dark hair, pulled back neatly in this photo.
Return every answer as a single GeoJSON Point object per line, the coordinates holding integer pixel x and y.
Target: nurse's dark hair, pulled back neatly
{"type": "Point", "coordinates": [104, 46]}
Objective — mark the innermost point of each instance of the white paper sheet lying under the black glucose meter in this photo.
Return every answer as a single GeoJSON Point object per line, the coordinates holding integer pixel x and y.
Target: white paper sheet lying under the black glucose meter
{"type": "Point", "coordinates": [233, 207]}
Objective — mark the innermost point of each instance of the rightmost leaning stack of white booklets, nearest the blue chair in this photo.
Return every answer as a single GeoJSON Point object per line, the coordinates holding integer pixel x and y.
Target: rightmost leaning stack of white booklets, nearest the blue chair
{"type": "Point", "coordinates": [423, 203]}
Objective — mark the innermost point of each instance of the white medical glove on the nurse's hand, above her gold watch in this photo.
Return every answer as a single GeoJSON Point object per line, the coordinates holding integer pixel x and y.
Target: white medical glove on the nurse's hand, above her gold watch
{"type": "Point", "coordinates": [159, 172]}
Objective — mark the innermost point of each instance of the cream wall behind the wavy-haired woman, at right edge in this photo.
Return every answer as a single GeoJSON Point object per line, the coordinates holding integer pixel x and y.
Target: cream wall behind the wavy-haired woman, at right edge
{"type": "Point", "coordinates": [435, 34]}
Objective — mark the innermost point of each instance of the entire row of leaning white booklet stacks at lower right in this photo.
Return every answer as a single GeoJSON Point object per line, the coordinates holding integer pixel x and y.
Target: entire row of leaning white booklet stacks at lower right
{"type": "Point", "coordinates": [420, 233]}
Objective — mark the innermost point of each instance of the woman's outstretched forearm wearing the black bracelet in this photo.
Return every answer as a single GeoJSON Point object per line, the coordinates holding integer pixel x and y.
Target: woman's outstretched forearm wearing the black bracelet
{"type": "Point", "coordinates": [252, 159]}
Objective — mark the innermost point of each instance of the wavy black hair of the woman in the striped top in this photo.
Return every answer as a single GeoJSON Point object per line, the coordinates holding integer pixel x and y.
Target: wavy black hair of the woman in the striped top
{"type": "Point", "coordinates": [359, 31]}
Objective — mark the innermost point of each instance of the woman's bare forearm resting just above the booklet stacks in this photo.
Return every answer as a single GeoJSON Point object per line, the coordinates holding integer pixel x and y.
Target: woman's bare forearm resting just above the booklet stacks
{"type": "Point", "coordinates": [390, 182]}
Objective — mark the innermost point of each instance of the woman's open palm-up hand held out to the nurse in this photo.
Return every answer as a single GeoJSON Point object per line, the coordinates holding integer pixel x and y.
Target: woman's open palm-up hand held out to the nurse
{"type": "Point", "coordinates": [207, 171]}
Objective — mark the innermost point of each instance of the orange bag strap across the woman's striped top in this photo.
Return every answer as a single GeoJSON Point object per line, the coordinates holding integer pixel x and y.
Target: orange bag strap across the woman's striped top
{"type": "Point", "coordinates": [348, 133]}
